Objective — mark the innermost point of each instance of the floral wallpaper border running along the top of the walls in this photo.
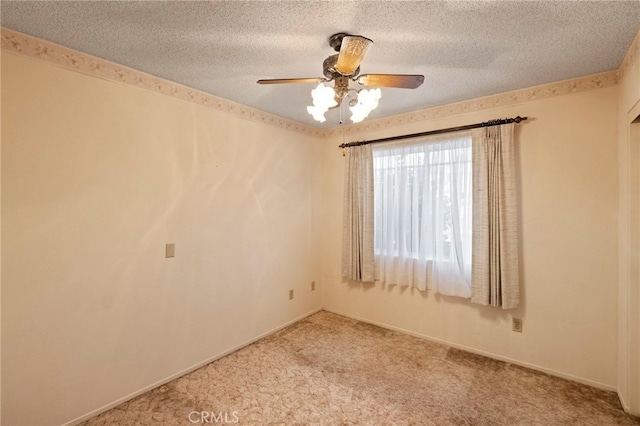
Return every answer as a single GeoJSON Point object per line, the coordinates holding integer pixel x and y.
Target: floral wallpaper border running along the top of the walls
{"type": "Point", "coordinates": [33, 47]}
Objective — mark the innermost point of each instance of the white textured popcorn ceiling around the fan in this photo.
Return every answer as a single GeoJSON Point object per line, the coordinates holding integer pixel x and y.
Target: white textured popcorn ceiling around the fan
{"type": "Point", "coordinates": [465, 49]}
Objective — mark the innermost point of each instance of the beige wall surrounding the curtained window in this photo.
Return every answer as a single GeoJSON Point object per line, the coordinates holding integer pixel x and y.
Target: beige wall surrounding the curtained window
{"type": "Point", "coordinates": [568, 190]}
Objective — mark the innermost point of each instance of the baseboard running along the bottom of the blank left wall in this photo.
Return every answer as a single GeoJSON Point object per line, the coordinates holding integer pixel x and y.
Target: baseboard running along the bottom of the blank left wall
{"type": "Point", "coordinates": [183, 372]}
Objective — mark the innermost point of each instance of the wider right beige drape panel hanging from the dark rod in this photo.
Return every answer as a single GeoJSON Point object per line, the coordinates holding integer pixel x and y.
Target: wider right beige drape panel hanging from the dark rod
{"type": "Point", "coordinates": [494, 270]}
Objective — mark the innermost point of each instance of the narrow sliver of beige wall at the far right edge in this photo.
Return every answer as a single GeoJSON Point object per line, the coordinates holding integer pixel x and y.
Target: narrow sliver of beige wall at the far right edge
{"type": "Point", "coordinates": [629, 235]}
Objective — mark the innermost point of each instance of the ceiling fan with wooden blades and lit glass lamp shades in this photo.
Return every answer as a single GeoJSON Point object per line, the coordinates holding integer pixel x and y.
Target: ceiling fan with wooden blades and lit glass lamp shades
{"type": "Point", "coordinates": [342, 68]}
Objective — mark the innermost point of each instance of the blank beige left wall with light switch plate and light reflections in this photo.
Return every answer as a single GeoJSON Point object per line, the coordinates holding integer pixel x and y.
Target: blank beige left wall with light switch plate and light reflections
{"type": "Point", "coordinates": [96, 178]}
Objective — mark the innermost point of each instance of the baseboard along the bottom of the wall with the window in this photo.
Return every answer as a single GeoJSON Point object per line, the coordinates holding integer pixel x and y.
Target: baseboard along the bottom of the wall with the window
{"type": "Point", "coordinates": [483, 353]}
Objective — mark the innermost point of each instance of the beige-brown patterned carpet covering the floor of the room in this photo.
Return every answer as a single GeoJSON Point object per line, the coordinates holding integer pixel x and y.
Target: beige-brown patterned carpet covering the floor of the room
{"type": "Point", "coordinates": [332, 370]}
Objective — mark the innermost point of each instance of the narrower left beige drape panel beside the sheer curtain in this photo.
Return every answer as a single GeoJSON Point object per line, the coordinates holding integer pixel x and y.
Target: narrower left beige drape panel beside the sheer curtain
{"type": "Point", "coordinates": [357, 235]}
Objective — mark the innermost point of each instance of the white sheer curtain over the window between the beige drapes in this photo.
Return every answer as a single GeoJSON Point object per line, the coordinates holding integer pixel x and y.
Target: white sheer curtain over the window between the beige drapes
{"type": "Point", "coordinates": [423, 214]}
